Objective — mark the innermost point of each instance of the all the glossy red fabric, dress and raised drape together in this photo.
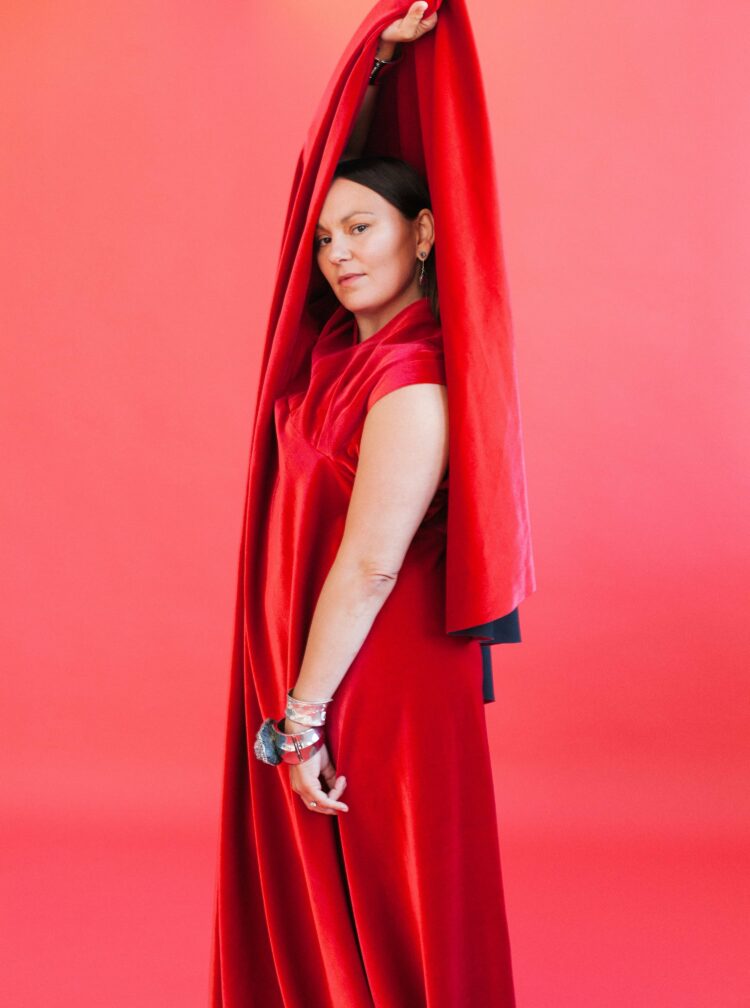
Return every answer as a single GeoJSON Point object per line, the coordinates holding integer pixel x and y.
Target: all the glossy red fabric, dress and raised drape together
{"type": "Point", "coordinates": [400, 902]}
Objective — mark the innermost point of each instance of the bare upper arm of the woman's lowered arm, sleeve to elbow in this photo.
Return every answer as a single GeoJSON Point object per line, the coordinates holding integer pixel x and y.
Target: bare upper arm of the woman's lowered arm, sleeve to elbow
{"type": "Point", "coordinates": [403, 458]}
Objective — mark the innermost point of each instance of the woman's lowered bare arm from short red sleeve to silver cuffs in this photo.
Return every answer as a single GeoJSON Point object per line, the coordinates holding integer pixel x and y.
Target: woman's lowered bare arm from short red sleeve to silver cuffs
{"type": "Point", "coordinates": [404, 456]}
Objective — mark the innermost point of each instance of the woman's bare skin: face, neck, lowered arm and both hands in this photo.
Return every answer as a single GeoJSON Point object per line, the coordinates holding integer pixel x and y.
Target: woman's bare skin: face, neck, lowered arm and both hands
{"type": "Point", "coordinates": [404, 448]}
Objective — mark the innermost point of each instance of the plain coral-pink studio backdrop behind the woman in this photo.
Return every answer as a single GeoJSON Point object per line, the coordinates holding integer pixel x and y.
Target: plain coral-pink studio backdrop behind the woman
{"type": "Point", "coordinates": [148, 158]}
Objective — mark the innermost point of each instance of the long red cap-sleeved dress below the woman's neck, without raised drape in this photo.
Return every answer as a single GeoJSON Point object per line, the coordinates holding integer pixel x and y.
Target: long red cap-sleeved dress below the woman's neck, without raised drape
{"type": "Point", "coordinates": [398, 904]}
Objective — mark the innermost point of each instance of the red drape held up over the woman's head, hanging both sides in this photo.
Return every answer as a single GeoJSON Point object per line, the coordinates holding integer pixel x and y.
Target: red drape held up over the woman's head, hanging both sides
{"type": "Point", "coordinates": [432, 113]}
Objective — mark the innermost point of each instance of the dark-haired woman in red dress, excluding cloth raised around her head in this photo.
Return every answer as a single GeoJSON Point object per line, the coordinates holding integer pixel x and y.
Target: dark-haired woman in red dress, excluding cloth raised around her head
{"type": "Point", "coordinates": [360, 859]}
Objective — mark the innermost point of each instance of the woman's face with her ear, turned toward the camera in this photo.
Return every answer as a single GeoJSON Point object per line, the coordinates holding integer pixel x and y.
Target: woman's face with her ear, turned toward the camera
{"type": "Point", "coordinates": [360, 232]}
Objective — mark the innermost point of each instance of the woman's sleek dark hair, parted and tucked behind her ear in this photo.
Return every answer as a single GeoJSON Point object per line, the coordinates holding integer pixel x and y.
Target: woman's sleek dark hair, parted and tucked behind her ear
{"type": "Point", "coordinates": [405, 189]}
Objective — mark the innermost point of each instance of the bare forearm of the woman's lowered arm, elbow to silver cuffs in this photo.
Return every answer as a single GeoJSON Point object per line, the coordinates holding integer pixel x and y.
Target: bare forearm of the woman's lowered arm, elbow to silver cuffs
{"type": "Point", "coordinates": [346, 609]}
